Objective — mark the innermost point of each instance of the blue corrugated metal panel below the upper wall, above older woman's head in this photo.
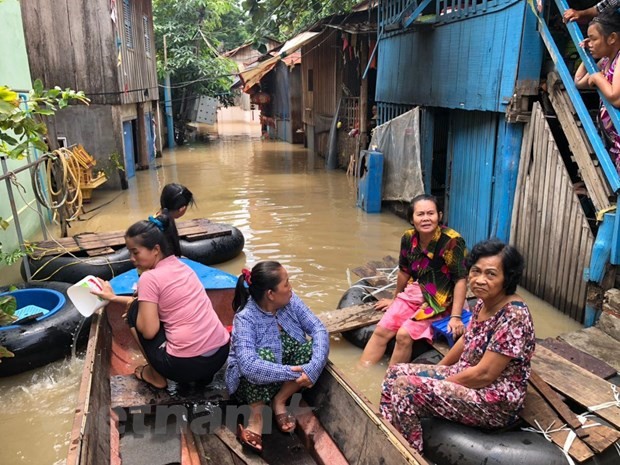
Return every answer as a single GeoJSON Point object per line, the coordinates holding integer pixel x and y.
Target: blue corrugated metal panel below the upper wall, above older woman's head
{"type": "Point", "coordinates": [471, 160]}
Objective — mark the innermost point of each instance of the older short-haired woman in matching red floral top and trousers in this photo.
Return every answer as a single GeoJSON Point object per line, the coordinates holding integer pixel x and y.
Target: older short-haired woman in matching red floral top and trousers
{"type": "Point", "coordinates": [482, 381]}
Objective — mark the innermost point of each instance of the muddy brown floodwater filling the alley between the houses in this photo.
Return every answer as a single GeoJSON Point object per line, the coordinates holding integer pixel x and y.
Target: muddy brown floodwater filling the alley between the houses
{"type": "Point", "coordinates": [289, 209]}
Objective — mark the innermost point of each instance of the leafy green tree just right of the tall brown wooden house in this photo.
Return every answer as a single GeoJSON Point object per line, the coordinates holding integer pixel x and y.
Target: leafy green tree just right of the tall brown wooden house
{"type": "Point", "coordinates": [190, 28]}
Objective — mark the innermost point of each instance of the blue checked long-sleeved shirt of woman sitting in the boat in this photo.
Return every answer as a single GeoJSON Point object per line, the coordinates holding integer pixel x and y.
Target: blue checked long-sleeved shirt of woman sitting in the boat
{"type": "Point", "coordinates": [254, 328]}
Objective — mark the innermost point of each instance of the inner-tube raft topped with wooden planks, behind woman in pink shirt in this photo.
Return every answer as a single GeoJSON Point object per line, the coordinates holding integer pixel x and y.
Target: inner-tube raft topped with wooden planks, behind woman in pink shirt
{"type": "Point", "coordinates": [104, 254]}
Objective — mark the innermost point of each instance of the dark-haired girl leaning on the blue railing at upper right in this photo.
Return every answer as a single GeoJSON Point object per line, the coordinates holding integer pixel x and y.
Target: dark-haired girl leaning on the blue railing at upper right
{"type": "Point", "coordinates": [603, 41]}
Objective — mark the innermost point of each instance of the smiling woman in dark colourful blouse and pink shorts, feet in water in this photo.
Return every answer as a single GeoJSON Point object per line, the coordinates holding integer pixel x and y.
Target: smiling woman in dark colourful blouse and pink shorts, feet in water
{"type": "Point", "coordinates": [431, 281]}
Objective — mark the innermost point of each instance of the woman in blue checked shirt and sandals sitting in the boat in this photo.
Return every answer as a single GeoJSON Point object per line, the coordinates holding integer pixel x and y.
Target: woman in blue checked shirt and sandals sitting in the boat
{"type": "Point", "coordinates": [278, 347]}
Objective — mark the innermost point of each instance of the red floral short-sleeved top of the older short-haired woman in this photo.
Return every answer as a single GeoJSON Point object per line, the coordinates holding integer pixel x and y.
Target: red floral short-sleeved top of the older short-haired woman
{"type": "Point", "coordinates": [509, 332]}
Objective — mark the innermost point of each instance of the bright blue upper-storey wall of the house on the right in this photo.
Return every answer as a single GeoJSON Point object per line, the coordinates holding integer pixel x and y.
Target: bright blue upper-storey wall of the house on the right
{"type": "Point", "coordinates": [469, 64]}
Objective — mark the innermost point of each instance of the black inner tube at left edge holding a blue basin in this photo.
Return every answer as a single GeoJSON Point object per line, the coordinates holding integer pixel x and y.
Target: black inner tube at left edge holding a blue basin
{"type": "Point", "coordinates": [44, 339]}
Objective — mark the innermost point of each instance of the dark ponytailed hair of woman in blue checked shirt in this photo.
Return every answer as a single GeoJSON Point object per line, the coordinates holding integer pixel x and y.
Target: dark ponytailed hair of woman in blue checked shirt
{"type": "Point", "coordinates": [264, 276]}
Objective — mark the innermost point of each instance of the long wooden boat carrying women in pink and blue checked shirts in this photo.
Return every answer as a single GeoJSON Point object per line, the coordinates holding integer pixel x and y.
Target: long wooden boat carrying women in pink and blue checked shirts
{"type": "Point", "coordinates": [340, 426]}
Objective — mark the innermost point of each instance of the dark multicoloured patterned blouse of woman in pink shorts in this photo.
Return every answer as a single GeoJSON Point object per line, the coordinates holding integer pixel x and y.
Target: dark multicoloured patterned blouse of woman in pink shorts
{"type": "Point", "coordinates": [437, 268]}
